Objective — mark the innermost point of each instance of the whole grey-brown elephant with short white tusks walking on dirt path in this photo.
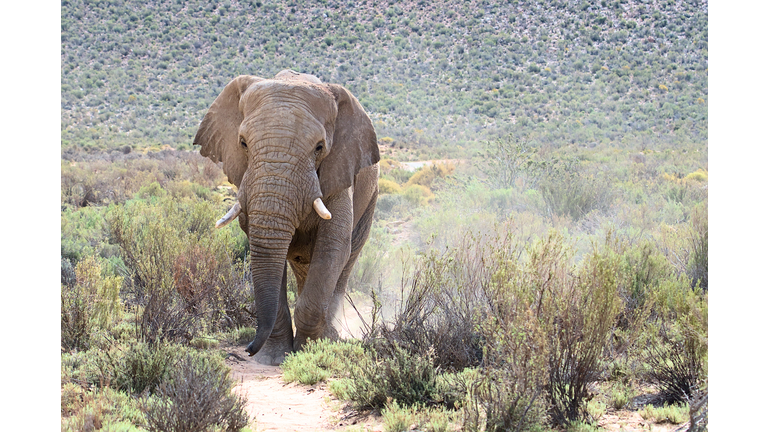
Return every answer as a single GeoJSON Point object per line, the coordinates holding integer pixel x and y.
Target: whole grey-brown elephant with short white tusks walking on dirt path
{"type": "Point", "coordinates": [305, 159]}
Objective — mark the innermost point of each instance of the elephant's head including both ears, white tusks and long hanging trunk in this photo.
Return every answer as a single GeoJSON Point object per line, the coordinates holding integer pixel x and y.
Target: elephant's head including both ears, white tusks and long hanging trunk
{"type": "Point", "coordinates": [286, 143]}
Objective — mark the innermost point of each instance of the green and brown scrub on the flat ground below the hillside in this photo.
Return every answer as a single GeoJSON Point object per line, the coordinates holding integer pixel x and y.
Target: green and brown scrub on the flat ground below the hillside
{"type": "Point", "coordinates": [534, 288]}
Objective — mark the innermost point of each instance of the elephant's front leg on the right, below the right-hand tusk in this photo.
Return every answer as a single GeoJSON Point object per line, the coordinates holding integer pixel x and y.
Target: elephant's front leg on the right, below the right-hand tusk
{"type": "Point", "coordinates": [329, 256]}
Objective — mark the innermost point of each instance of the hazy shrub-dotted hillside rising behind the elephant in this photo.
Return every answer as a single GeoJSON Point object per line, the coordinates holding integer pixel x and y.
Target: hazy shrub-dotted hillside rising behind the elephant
{"type": "Point", "coordinates": [630, 73]}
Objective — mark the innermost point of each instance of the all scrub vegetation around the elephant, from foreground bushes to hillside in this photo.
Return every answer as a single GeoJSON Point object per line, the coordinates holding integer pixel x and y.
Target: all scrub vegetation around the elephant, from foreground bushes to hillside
{"type": "Point", "coordinates": [555, 270]}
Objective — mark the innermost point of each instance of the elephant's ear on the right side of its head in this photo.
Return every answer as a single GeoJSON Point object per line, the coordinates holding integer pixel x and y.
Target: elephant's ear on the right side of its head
{"type": "Point", "coordinates": [354, 144]}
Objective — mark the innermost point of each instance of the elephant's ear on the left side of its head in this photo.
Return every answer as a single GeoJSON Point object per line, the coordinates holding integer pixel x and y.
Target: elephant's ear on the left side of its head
{"type": "Point", "coordinates": [219, 131]}
